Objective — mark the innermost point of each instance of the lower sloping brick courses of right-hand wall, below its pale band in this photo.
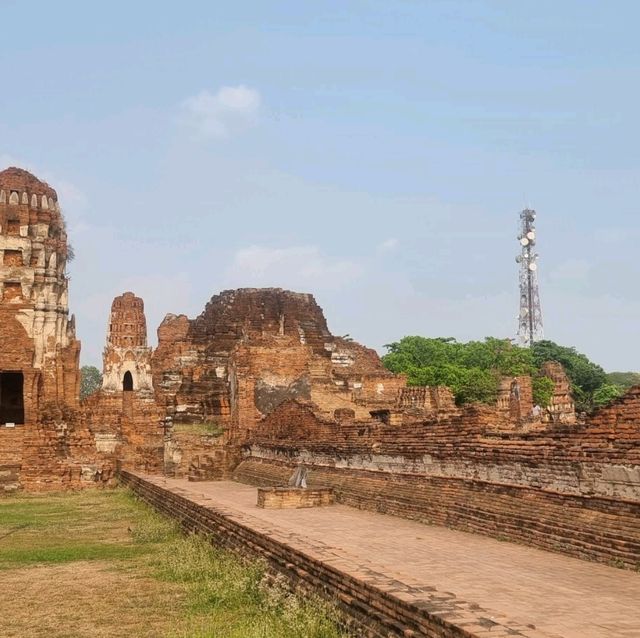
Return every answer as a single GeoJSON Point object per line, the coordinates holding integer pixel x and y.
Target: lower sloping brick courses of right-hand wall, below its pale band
{"type": "Point", "coordinates": [596, 529]}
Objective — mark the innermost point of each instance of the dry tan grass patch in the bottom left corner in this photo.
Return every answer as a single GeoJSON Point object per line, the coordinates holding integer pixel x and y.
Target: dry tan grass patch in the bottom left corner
{"type": "Point", "coordinates": [86, 598]}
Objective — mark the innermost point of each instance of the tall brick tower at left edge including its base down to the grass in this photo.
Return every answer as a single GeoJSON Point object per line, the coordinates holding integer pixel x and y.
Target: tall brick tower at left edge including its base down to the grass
{"type": "Point", "coordinates": [44, 443]}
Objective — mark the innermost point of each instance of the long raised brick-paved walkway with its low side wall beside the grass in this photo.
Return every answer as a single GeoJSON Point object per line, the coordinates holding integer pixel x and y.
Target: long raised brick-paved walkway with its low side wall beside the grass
{"type": "Point", "coordinates": [395, 577]}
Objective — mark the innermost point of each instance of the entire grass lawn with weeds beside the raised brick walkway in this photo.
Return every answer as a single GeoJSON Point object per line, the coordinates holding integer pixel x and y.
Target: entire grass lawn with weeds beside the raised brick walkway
{"type": "Point", "coordinates": [100, 563]}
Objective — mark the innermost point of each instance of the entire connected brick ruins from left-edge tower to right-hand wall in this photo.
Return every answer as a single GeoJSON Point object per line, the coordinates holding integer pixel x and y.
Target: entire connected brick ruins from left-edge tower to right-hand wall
{"type": "Point", "coordinates": [257, 384]}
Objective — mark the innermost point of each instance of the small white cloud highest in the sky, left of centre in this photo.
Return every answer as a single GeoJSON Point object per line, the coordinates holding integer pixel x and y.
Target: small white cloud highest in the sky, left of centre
{"type": "Point", "coordinates": [229, 110]}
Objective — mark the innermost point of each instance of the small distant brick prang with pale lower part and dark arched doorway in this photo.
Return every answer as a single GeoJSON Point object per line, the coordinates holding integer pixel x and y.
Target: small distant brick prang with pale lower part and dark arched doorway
{"type": "Point", "coordinates": [127, 358]}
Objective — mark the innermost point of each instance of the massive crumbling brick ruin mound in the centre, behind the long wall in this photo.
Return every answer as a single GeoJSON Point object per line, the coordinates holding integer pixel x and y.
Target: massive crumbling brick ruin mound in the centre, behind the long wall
{"type": "Point", "coordinates": [252, 349]}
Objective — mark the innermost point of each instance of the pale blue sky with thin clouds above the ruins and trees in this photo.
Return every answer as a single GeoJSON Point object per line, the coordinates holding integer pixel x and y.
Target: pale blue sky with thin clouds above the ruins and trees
{"type": "Point", "coordinates": [373, 153]}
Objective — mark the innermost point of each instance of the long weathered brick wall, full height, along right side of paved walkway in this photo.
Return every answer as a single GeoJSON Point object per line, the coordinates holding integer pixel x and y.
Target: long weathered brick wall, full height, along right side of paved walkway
{"type": "Point", "coordinates": [566, 487]}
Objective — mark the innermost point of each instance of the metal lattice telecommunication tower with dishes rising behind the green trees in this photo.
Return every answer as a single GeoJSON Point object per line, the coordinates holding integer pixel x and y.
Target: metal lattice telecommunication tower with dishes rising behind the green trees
{"type": "Point", "coordinates": [530, 318]}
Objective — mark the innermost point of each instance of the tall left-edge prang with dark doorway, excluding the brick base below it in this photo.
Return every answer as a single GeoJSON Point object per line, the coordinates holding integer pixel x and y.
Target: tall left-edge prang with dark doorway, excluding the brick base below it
{"type": "Point", "coordinates": [39, 354]}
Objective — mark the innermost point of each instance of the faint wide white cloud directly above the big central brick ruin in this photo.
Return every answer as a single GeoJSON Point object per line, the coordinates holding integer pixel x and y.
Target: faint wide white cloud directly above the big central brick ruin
{"type": "Point", "coordinates": [302, 268]}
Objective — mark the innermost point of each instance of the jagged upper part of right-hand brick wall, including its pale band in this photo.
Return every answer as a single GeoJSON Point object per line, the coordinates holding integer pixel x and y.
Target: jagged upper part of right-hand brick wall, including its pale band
{"type": "Point", "coordinates": [598, 458]}
